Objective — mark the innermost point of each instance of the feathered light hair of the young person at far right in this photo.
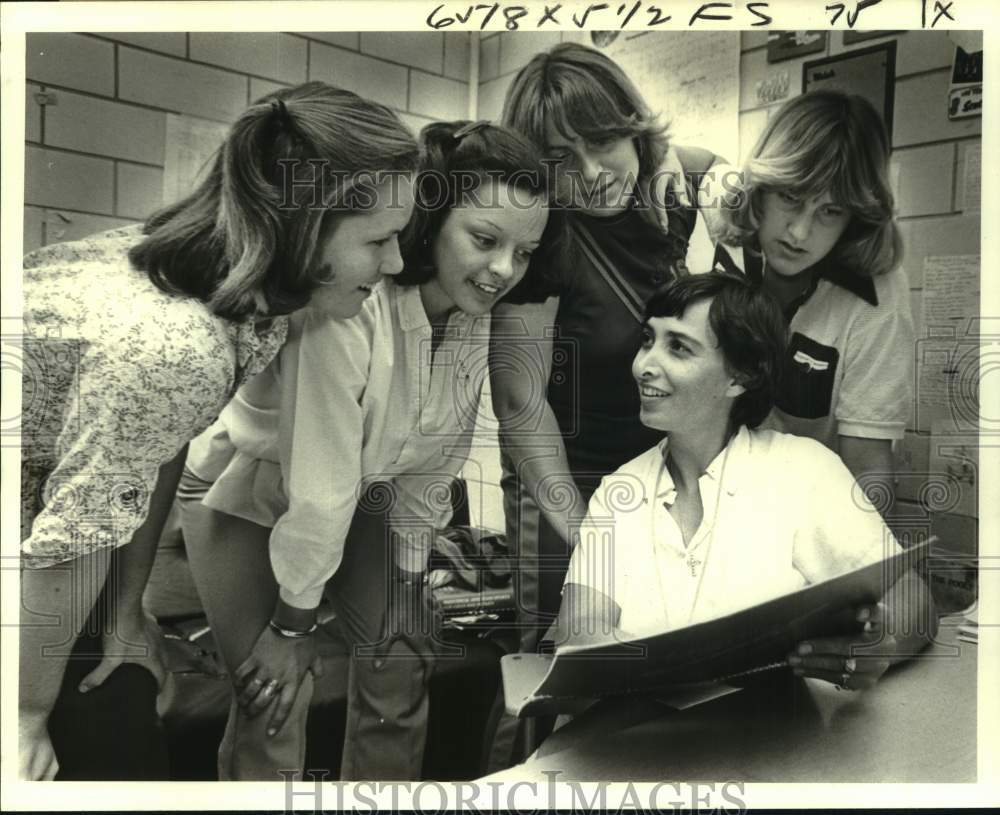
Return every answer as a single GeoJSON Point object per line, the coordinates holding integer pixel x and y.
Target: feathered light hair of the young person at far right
{"type": "Point", "coordinates": [826, 142]}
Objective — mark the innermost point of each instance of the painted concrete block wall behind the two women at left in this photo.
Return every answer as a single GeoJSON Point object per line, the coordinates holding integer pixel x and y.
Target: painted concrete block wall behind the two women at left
{"type": "Point", "coordinates": [96, 105]}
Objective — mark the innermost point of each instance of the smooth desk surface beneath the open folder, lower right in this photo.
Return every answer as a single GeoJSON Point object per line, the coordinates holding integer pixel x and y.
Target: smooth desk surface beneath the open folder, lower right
{"type": "Point", "coordinates": [918, 724]}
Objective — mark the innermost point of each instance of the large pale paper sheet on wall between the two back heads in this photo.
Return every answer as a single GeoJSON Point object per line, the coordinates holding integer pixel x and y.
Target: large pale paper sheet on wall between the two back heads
{"type": "Point", "coordinates": [692, 79]}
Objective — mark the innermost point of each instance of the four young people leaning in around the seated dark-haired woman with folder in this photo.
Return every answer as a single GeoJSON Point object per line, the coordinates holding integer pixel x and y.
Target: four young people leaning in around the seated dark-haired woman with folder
{"type": "Point", "coordinates": [340, 351]}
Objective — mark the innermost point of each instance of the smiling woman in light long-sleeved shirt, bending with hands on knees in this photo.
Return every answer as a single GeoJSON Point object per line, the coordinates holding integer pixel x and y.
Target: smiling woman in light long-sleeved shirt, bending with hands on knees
{"type": "Point", "coordinates": [331, 471]}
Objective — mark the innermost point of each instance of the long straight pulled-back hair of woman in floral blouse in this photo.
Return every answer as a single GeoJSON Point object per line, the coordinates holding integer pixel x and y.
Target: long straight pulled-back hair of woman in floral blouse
{"type": "Point", "coordinates": [245, 241]}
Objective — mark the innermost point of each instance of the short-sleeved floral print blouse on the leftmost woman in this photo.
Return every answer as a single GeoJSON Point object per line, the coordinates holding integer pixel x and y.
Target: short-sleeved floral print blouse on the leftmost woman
{"type": "Point", "coordinates": [117, 377]}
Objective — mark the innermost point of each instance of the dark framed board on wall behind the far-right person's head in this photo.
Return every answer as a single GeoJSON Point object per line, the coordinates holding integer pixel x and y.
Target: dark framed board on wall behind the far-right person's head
{"type": "Point", "coordinates": [869, 72]}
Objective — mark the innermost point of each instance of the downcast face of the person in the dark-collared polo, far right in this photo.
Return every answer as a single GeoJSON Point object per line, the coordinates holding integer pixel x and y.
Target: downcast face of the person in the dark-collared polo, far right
{"type": "Point", "coordinates": [797, 233]}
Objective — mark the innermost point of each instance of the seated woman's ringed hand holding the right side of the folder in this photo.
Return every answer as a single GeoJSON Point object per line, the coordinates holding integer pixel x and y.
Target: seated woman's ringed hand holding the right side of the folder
{"type": "Point", "coordinates": [852, 662]}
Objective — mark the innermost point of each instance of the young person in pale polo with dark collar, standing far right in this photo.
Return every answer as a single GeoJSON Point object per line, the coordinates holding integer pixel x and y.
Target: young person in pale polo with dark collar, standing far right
{"type": "Point", "coordinates": [814, 226]}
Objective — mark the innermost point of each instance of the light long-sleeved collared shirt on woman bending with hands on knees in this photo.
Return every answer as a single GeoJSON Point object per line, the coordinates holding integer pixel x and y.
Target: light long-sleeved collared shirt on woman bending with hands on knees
{"type": "Point", "coordinates": [349, 403]}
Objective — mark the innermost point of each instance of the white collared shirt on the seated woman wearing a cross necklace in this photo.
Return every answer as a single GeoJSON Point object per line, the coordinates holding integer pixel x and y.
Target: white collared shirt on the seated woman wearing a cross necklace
{"type": "Point", "coordinates": [780, 512]}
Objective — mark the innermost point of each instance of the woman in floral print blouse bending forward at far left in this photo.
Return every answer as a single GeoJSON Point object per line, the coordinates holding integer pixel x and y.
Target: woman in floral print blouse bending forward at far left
{"type": "Point", "coordinates": [136, 339]}
